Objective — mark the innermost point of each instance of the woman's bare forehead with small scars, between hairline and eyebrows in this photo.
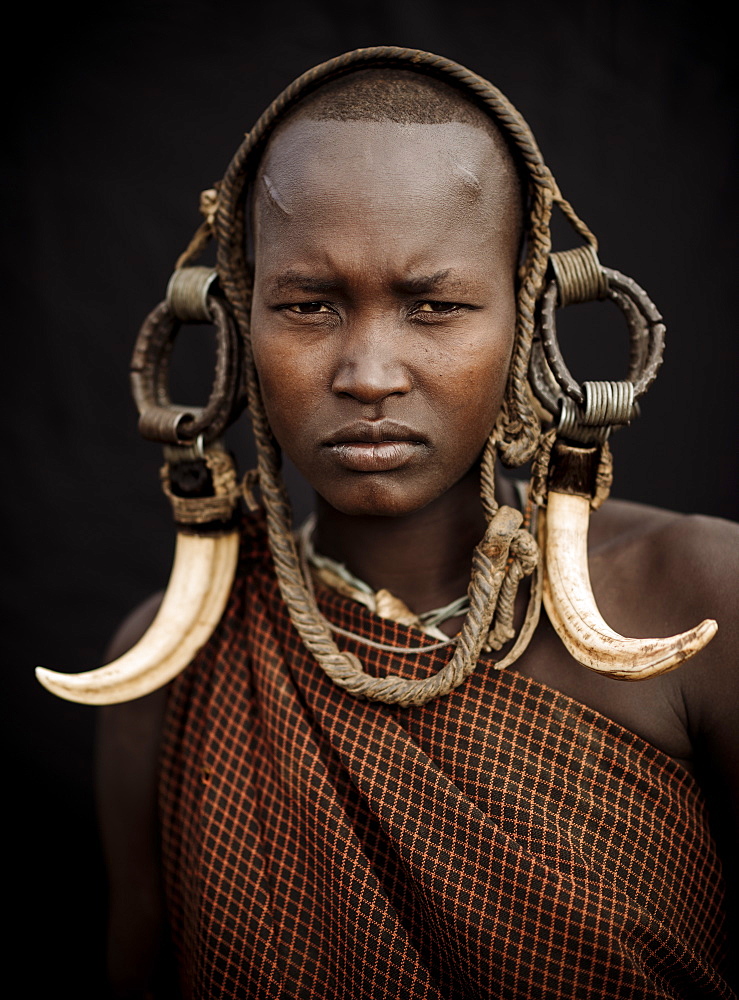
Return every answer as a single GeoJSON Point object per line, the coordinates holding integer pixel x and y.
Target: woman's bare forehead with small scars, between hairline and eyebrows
{"type": "Point", "coordinates": [388, 174]}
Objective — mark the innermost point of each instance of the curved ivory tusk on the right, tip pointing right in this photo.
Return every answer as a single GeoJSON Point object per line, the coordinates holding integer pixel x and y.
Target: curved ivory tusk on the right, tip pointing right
{"type": "Point", "coordinates": [570, 604]}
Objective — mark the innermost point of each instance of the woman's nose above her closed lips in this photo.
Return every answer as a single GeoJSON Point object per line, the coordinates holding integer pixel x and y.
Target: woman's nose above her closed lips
{"type": "Point", "coordinates": [370, 367]}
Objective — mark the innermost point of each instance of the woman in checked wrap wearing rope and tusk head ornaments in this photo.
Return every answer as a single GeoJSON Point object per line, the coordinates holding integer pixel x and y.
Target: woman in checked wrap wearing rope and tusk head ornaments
{"type": "Point", "coordinates": [355, 797]}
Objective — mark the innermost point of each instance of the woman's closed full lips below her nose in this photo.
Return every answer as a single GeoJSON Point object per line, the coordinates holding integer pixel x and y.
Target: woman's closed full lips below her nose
{"type": "Point", "coordinates": [376, 446]}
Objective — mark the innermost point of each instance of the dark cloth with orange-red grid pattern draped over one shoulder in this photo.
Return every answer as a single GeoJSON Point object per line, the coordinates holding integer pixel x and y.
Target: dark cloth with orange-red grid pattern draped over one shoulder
{"type": "Point", "coordinates": [504, 841]}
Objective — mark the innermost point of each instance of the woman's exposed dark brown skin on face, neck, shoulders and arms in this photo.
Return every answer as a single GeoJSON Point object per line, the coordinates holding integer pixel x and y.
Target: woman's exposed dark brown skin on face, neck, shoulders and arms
{"type": "Point", "coordinates": [383, 321]}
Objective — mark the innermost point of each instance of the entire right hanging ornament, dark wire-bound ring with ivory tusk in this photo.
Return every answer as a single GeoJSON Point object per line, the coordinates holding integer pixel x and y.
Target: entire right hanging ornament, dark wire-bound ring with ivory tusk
{"type": "Point", "coordinates": [572, 472]}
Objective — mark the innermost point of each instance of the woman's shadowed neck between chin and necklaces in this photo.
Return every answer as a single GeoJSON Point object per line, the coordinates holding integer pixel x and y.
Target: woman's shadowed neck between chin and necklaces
{"type": "Point", "coordinates": [423, 558]}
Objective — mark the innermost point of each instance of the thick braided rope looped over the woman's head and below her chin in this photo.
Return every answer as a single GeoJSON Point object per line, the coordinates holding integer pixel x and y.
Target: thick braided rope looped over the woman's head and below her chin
{"type": "Point", "coordinates": [506, 554]}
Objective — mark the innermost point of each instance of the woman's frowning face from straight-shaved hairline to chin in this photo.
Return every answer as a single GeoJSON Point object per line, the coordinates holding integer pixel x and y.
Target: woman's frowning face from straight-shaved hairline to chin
{"type": "Point", "coordinates": [384, 305]}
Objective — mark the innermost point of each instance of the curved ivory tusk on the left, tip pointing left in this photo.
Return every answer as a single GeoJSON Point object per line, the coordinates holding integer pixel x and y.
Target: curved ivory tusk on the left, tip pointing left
{"type": "Point", "coordinates": [199, 586]}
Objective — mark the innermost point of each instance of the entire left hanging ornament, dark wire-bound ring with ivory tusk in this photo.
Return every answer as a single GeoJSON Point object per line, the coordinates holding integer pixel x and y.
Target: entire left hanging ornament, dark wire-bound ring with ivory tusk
{"type": "Point", "coordinates": [199, 478]}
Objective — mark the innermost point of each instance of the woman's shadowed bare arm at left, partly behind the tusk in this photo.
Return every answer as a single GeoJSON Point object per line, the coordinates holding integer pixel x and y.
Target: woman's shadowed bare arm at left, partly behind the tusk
{"type": "Point", "coordinates": [128, 740]}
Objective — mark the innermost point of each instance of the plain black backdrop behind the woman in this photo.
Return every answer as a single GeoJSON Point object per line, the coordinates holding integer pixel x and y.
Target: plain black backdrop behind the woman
{"type": "Point", "coordinates": [116, 120]}
